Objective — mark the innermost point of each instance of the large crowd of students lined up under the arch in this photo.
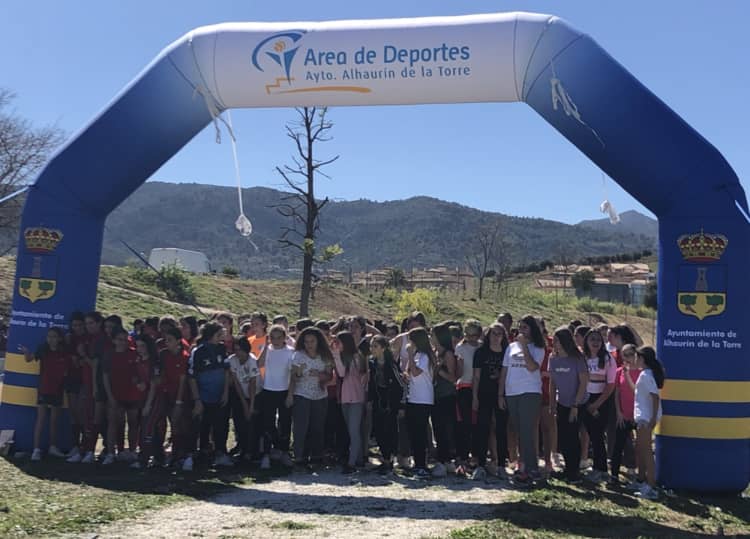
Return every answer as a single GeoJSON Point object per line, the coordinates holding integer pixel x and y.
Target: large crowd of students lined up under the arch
{"type": "Point", "coordinates": [490, 398]}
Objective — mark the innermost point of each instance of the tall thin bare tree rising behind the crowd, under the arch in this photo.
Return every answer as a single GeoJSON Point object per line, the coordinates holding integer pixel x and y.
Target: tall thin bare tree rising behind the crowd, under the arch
{"type": "Point", "coordinates": [300, 205]}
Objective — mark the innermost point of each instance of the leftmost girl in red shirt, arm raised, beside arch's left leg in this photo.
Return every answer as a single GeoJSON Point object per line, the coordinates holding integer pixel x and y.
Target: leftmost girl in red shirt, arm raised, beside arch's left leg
{"type": "Point", "coordinates": [55, 361]}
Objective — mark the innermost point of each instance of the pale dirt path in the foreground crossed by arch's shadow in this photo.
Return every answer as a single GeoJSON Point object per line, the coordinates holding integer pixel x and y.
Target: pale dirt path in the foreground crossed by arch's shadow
{"type": "Point", "coordinates": [324, 505]}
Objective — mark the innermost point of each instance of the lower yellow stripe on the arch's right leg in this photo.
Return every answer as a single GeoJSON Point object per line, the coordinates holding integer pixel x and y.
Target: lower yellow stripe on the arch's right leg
{"type": "Point", "coordinates": [706, 428]}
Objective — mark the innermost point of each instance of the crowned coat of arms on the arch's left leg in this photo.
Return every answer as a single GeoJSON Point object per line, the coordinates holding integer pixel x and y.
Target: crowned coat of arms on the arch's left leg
{"type": "Point", "coordinates": [42, 283]}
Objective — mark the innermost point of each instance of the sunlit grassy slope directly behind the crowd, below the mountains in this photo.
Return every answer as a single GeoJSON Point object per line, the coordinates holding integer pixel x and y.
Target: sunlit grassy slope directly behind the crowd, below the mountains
{"type": "Point", "coordinates": [122, 292]}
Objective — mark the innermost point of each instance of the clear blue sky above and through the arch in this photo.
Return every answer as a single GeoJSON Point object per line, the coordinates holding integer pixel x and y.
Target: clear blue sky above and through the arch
{"type": "Point", "coordinates": [66, 60]}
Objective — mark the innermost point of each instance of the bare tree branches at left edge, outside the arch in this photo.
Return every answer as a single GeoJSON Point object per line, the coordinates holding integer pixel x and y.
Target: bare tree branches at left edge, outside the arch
{"type": "Point", "coordinates": [23, 151]}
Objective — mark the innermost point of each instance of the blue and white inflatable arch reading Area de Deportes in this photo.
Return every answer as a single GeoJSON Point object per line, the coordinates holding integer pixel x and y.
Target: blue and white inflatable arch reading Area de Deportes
{"type": "Point", "coordinates": [704, 235]}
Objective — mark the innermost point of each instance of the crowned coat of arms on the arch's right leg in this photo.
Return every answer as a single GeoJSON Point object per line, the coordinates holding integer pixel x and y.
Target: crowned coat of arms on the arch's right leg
{"type": "Point", "coordinates": [703, 287]}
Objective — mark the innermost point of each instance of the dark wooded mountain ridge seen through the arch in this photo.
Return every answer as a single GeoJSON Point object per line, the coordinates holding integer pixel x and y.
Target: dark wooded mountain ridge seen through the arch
{"type": "Point", "coordinates": [413, 233]}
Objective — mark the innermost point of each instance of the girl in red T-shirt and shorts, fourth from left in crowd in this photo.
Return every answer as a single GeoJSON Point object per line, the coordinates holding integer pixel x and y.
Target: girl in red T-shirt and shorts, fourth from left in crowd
{"type": "Point", "coordinates": [125, 392]}
